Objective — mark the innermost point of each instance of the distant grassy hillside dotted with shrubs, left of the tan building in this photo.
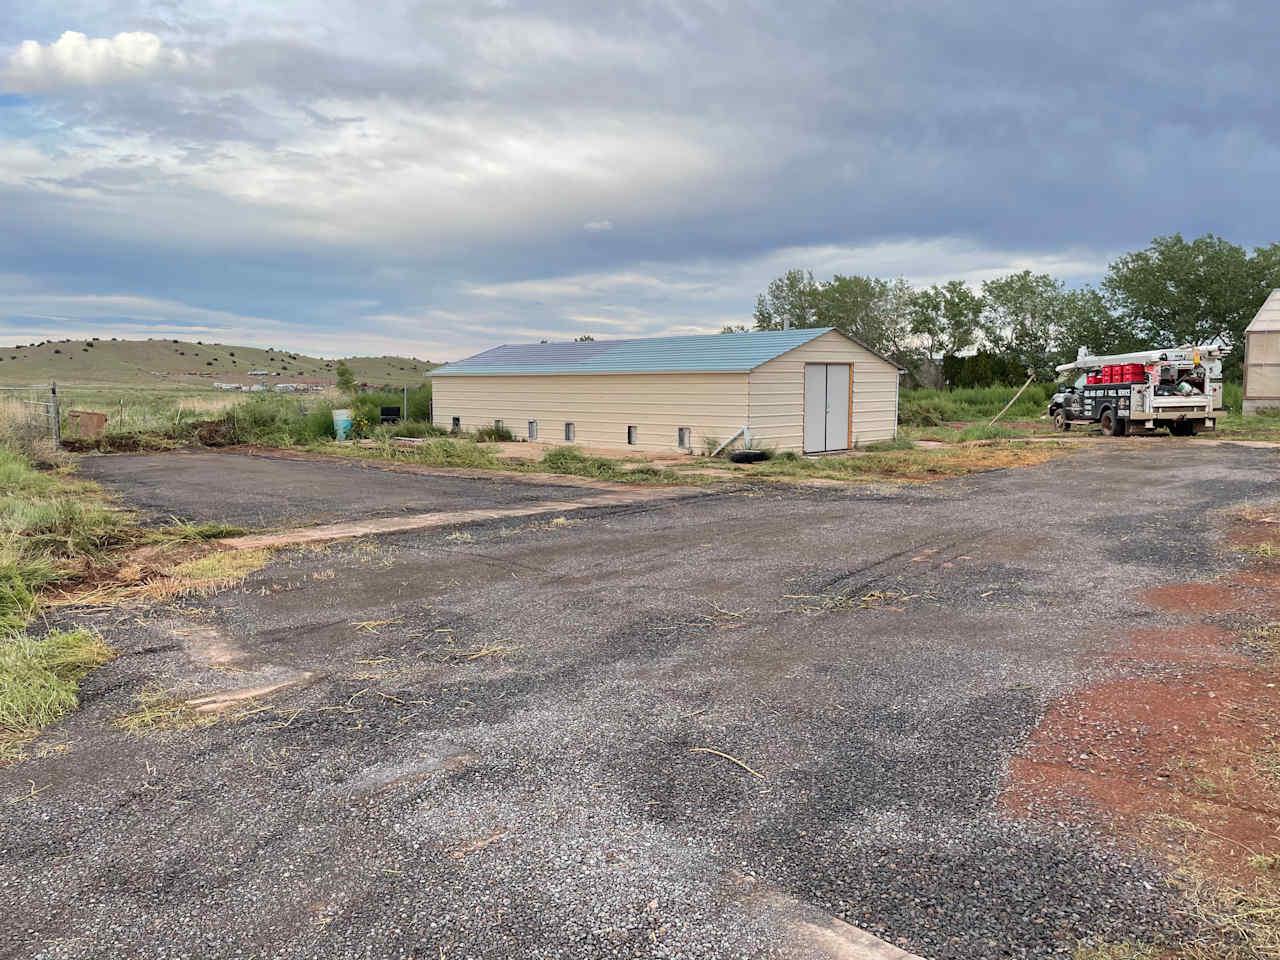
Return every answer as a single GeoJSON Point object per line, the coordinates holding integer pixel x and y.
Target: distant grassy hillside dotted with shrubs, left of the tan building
{"type": "Point", "coordinates": [181, 363]}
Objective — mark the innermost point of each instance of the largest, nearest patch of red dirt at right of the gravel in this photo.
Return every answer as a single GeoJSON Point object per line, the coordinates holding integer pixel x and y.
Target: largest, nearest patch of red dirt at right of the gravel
{"type": "Point", "coordinates": [1135, 751]}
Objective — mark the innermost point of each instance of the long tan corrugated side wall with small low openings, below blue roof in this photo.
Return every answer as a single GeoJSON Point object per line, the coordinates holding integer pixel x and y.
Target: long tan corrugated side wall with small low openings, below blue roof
{"type": "Point", "coordinates": [601, 406]}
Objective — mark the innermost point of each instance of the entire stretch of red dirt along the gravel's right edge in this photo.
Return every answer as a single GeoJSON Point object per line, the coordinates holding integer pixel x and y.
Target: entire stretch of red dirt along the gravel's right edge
{"type": "Point", "coordinates": [1185, 760]}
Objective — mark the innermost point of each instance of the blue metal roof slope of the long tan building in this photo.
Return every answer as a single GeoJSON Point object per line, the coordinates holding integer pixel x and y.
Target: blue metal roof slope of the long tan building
{"type": "Point", "coordinates": [716, 353]}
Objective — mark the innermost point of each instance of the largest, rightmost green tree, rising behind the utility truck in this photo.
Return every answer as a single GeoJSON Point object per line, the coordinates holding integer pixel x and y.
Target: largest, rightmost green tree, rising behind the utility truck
{"type": "Point", "coordinates": [1178, 292]}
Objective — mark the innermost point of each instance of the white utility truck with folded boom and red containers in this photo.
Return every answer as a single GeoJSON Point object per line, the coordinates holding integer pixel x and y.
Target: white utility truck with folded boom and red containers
{"type": "Point", "coordinates": [1180, 388]}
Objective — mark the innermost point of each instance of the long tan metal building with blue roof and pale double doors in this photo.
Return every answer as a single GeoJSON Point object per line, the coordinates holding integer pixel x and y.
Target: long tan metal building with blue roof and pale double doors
{"type": "Point", "coordinates": [808, 391]}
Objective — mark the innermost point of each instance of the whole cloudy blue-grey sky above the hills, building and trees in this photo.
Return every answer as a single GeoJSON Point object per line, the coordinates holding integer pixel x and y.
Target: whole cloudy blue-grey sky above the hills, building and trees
{"type": "Point", "coordinates": [438, 177]}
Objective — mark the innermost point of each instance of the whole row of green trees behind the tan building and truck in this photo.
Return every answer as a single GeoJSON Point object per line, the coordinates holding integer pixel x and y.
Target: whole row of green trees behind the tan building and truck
{"type": "Point", "coordinates": [1173, 292]}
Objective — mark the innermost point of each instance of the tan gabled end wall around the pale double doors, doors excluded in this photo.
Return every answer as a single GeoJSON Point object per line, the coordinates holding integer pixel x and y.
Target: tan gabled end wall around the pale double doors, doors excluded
{"type": "Point", "coordinates": [778, 394]}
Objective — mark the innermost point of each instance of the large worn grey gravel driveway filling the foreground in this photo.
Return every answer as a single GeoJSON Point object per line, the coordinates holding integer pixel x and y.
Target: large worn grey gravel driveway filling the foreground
{"type": "Point", "coordinates": [491, 751]}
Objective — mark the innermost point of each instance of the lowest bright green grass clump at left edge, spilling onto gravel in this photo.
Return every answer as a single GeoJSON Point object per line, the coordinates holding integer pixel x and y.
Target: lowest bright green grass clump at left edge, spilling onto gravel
{"type": "Point", "coordinates": [40, 680]}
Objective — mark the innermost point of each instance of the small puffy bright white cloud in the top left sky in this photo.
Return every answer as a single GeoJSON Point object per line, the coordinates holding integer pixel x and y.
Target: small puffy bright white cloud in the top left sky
{"type": "Point", "coordinates": [77, 61]}
